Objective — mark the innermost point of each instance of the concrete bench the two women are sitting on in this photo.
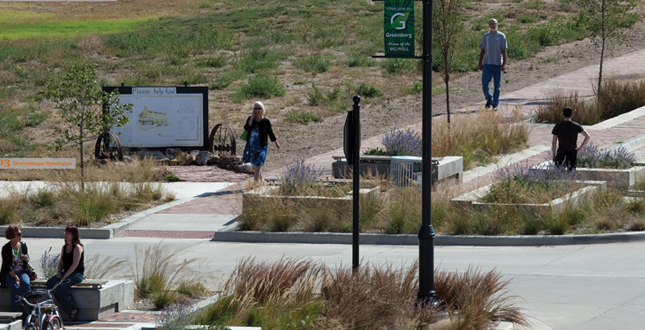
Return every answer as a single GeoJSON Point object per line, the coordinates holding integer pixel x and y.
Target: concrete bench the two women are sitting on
{"type": "Point", "coordinates": [94, 299]}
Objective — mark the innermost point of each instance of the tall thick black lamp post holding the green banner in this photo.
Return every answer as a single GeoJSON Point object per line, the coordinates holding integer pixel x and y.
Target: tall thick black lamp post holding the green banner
{"type": "Point", "coordinates": [426, 293]}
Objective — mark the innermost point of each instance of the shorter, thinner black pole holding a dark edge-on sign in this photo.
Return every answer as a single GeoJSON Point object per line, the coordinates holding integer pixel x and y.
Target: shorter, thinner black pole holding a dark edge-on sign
{"type": "Point", "coordinates": [356, 180]}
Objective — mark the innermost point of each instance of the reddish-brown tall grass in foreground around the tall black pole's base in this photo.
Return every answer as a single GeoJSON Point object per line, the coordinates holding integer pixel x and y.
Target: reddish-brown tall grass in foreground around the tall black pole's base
{"type": "Point", "coordinates": [298, 294]}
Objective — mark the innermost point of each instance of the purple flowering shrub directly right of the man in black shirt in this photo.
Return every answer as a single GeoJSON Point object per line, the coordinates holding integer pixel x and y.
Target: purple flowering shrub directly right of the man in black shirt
{"type": "Point", "coordinates": [591, 157]}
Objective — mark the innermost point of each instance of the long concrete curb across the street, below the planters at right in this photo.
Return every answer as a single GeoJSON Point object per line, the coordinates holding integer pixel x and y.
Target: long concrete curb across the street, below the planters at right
{"type": "Point", "coordinates": [440, 240]}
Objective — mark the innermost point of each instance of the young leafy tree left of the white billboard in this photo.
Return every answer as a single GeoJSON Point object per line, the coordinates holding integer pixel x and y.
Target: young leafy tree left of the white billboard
{"type": "Point", "coordinates": [77, 94]}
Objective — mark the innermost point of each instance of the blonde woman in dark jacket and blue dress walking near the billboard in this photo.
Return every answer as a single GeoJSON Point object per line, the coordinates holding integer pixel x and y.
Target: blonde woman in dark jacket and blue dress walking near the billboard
{"type": "Point", "coordinates": [257, 146]}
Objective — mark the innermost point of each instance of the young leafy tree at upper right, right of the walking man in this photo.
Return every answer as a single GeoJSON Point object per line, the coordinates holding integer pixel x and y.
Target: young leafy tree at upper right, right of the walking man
{"type": "Point", "coordinates": [604, 21]}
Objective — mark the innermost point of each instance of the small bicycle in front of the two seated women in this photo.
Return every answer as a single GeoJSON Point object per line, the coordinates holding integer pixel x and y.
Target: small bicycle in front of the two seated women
{"type": "Point", "coordinates": [44, 315]}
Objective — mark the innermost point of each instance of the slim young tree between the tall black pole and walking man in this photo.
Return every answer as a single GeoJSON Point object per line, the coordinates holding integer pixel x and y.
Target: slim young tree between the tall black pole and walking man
{"type": "Point", "coordinates": [446, 32]}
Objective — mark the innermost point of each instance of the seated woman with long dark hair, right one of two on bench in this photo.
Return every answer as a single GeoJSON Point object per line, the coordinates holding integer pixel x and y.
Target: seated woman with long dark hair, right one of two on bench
{"type": "Point", "coordinates": [70, 267]}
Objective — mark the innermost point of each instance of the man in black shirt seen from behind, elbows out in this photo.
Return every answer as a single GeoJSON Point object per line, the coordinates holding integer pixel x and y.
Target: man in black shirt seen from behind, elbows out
{"type": "Point", "coordinates": [565, 137]}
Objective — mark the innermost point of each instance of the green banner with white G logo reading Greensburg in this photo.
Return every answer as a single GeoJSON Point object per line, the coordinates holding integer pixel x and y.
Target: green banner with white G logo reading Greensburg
{"type": "Point", "coordinates": [399, 28]}
